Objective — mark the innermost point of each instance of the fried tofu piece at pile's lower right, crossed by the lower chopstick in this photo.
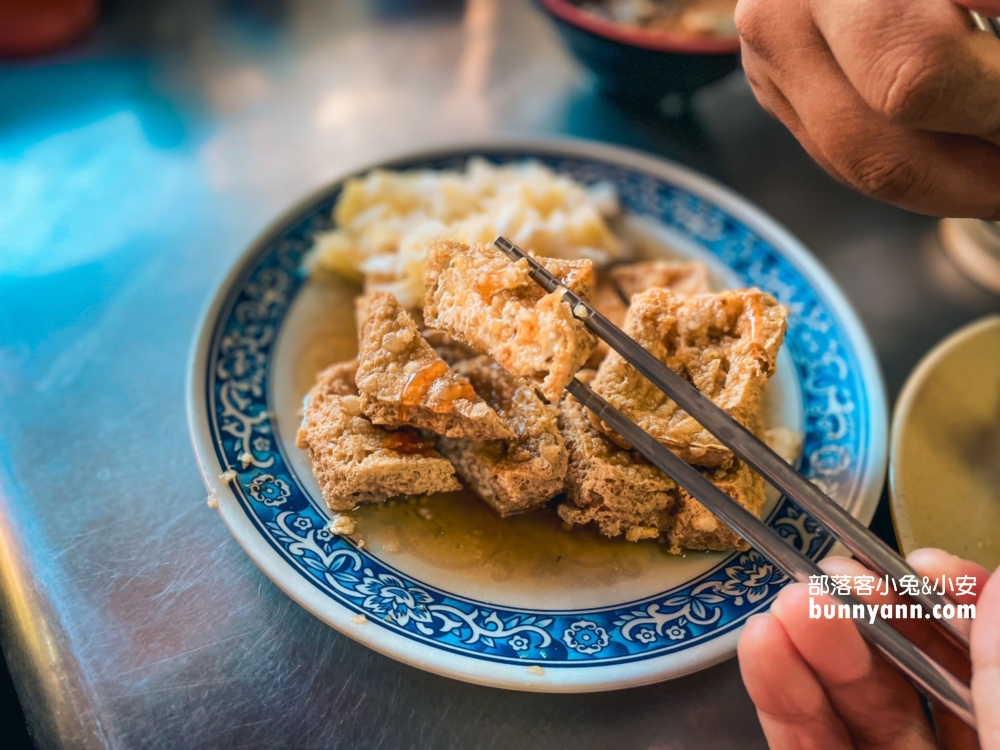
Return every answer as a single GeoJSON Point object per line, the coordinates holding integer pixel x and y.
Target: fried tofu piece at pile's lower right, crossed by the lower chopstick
{"type": "Point", "coordinates": [693, 526]}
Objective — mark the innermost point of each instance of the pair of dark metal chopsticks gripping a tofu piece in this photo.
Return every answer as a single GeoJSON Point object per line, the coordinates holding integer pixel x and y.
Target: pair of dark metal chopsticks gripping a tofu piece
{"type": "Point", "coordinates": [925, 672]}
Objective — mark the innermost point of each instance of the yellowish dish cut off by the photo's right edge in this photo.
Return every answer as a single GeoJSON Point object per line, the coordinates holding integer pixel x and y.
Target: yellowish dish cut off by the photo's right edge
{"type": "Point", "coordinates": [944, 477]}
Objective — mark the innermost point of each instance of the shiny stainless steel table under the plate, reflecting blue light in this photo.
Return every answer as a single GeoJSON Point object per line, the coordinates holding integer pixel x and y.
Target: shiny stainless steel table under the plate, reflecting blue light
{"type": "Point", "coordinates": [134, 170]}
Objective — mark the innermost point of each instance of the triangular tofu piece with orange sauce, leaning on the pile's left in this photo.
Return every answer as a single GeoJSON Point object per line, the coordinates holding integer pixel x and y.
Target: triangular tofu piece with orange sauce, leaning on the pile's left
{"type": "Point", "coordinates": [402, 380]}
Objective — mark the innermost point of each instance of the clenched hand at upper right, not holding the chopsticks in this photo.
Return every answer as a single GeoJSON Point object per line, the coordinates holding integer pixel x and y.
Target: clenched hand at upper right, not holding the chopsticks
{"type": "Point", "coordinates": [898, 98]}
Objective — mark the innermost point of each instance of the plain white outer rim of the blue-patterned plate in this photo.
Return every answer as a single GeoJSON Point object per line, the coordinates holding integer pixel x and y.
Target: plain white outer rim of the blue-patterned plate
{"type": "Point", "coordinates": [396, 646]}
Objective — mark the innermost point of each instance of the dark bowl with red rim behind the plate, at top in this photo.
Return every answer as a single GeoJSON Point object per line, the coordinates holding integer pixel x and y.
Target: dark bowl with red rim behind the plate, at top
{"type": "Point", "coordinates": [641, 67]}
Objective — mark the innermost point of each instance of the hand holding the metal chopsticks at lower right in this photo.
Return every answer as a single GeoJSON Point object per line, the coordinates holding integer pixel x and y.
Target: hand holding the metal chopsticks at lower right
{"type": "Point", "coordinates": [817, 684]}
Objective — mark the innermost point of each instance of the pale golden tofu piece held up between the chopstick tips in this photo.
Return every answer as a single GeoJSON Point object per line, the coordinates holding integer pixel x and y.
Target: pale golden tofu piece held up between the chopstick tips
{"type": "Point", "coordinates": [482, 299]}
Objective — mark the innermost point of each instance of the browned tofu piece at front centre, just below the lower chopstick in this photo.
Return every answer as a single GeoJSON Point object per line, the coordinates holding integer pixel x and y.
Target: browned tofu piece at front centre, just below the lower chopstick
{"type": "Point", "coordinates": [612, 487]}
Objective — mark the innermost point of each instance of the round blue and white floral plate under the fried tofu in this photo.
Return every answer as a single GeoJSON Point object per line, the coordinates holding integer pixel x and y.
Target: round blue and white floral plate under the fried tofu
{"type": "Point", "coordinates": [269, 330]}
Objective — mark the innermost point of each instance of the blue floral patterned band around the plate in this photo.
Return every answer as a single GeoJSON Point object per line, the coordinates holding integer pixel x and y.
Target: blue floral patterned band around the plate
{"type": "Point", "coordinates": [236, 387]}
